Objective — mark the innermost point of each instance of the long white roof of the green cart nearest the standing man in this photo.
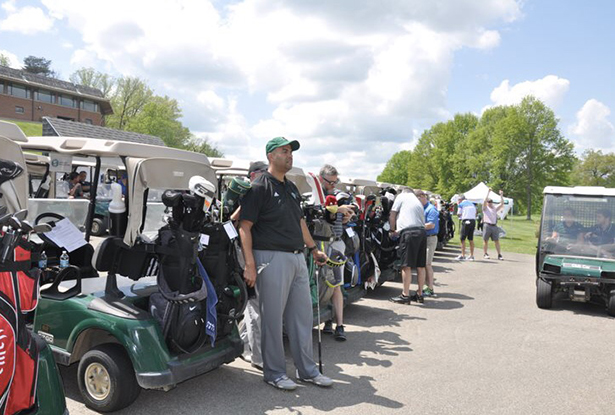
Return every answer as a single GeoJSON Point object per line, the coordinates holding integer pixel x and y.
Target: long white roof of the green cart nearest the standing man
{"type": "Point", "coordinates": [108, 148]}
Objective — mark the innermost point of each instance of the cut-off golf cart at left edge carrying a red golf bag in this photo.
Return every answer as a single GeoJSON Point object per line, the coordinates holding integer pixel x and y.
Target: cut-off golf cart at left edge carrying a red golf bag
{"type": "Point", "coordinates": [29, 378]}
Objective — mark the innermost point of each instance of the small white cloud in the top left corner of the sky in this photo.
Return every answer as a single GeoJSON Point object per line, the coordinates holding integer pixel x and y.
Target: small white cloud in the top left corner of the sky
{"type": "Point", "coordinates": [25, 20]}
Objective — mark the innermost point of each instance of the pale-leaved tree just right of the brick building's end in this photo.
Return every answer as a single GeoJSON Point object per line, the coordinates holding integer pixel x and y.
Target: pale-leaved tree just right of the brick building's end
{"type": "Point", "coordinates": [129, 98]}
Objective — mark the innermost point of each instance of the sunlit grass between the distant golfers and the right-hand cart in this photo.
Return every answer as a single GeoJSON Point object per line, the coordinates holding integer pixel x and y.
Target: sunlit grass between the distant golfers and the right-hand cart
{"type": "Point", "coordinates": [520, 236]}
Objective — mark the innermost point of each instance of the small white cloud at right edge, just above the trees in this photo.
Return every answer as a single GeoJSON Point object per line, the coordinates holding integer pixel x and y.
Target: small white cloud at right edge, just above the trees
{"type": "Point", "coordinates": [593, 128]}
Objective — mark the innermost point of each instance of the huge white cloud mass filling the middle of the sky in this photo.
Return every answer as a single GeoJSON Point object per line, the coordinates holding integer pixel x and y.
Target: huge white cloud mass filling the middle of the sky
{"type": "Point", "coordinates": [345, 75]}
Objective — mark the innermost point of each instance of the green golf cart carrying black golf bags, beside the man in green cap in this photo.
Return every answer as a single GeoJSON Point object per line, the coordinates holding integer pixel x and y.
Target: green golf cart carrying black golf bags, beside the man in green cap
{"type": "Point", "coordinates": [158, 299]}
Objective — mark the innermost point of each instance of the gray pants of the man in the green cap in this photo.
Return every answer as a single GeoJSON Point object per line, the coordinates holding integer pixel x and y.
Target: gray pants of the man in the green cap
{"type": "Point", "coordinates": [284, 294]}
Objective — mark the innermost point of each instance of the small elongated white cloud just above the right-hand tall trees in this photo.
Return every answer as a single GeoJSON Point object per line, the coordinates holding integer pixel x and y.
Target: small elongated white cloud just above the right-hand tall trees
{"type": "Point", "coordinates": [550, 90]}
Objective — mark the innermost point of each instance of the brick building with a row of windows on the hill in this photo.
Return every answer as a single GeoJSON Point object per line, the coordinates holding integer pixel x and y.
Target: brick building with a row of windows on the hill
{"type": "Point", "coordinates": [29, 97]}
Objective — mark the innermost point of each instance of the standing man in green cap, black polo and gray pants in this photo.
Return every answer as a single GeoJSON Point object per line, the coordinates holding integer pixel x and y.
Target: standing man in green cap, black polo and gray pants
{"type": "Point", "coordinates": [274, 237]}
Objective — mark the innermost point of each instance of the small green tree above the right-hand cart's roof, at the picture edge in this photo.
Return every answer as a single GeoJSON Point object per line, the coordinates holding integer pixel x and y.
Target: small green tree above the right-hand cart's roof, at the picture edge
{"type": "Point", "coordinates": [595, 169]}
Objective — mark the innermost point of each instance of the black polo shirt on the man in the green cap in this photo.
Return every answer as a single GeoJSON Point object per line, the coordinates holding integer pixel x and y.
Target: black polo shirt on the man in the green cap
{"type": "Point", "coordinates": [275, 209]}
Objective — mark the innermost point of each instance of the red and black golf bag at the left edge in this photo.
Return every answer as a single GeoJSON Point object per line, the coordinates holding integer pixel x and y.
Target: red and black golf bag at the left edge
{"type": "Point", "coordinates": [18, 349]}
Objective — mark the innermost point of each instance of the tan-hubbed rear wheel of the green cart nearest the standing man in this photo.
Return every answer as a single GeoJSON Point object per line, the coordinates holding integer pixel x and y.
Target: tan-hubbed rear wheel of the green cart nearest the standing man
{"type": "Point", "coordinates": [107, 379]}
